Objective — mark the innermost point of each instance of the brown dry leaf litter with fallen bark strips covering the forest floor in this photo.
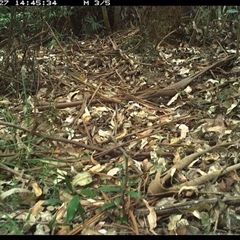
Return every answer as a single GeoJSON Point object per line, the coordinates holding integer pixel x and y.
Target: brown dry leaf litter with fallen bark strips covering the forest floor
{"type": "Point", "coordinates": [114, 143]}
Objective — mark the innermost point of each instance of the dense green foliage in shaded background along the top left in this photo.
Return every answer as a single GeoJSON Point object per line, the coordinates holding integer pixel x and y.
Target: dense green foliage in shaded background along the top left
{"type": "Point", "coordinates": [30, 20]}
